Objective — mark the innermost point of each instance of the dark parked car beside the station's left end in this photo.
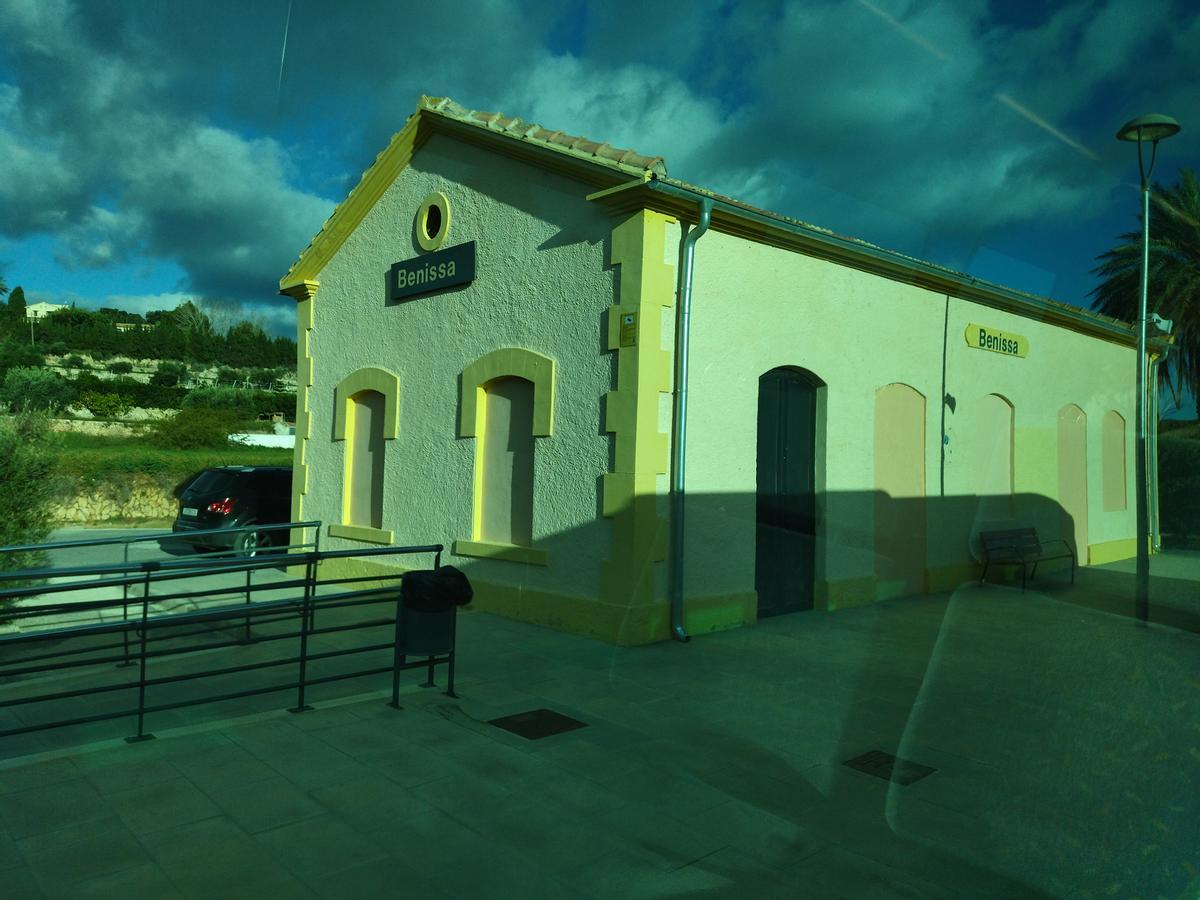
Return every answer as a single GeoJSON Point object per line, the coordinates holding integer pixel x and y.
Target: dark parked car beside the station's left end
{"type": "Point", "coordinates": [232, 497]}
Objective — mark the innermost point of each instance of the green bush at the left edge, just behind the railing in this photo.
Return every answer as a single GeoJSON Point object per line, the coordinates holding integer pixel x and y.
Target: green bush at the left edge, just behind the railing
{"type": "Point", "coordinates": [28, 472]}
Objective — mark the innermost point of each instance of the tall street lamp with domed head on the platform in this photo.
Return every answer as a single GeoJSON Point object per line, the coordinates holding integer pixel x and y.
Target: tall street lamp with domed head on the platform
{"type": "Point", "coordinates": [1141, 130]}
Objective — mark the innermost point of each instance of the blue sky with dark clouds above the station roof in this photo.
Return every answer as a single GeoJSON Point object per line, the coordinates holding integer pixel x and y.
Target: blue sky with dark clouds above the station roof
{"type": "Point", "coordinates": [152, 153]}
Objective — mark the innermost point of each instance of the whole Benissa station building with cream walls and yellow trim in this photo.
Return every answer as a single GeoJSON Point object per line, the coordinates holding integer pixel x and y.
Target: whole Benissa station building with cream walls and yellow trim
{"type": "Point", "coordinates": [488, 339]}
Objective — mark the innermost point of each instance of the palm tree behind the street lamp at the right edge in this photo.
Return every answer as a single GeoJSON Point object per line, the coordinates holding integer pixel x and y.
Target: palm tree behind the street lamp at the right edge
{"type": "Point", "coordinates": [1174, 277]}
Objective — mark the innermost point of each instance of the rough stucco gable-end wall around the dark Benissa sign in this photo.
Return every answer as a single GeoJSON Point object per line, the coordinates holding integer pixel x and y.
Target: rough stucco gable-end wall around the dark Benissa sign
{"type": "Point", "coordinates": [542, 284]}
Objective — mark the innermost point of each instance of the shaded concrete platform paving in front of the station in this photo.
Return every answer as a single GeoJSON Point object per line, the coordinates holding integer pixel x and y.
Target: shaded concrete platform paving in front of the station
{"type": "Point", "coordinates": [1066, 743]}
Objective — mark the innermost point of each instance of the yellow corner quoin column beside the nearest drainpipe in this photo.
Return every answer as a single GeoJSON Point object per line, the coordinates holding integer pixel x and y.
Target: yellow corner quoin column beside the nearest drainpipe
{"type": "Point", "coordinates": [632, 413]}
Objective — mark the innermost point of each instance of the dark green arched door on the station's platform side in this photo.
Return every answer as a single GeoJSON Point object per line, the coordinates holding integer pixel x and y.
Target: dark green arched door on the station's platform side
{"type": "Point", "coordinates": [787, 496]}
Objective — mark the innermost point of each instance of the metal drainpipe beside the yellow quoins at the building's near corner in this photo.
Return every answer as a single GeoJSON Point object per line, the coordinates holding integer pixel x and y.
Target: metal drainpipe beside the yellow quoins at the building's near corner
{"type": "Point", "coordinates": [680, 443]}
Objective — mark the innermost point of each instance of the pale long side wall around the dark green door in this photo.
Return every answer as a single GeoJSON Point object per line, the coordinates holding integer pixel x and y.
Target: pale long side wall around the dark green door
{"type": "Point", "coordinates": [757, 308]}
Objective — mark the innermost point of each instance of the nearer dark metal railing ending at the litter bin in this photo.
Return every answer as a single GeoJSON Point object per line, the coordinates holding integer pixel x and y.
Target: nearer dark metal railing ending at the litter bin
{"type": "Point", "coordinates": [154, 634]}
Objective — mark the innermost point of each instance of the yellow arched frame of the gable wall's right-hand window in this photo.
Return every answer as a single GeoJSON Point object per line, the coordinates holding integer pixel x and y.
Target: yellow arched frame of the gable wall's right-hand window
{"type": "Point", "coordinates": [507, 363]}
